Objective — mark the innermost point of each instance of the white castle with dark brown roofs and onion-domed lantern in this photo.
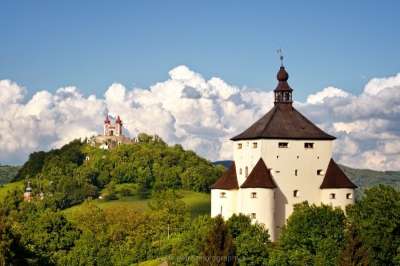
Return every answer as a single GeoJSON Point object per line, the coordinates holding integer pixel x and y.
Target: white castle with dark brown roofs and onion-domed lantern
{"type": "Point", "coordinates": [280, 160]}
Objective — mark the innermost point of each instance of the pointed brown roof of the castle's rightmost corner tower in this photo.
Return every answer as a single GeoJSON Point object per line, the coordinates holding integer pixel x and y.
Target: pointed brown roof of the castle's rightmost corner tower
{"type": "Point", "coordinates": [335, 178]}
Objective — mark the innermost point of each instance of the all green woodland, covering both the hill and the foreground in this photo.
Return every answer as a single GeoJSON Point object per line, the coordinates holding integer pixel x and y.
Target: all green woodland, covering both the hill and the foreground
{"type": "Point", "coordinates": [40, 233]}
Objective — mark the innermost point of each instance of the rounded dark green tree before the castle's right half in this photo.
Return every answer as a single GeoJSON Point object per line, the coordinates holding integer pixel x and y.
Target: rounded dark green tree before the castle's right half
{"type": "Point", "coordinates": [314, 230]}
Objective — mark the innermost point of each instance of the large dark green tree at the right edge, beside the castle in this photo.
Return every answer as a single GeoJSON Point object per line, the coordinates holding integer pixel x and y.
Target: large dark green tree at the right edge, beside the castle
{"type": "Point", "coordinates": [376, 219]}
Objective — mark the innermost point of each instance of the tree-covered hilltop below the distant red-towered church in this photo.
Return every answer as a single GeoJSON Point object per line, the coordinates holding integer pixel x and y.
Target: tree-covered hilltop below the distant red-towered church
{"type": "Point", "coordinates": [77, 171]}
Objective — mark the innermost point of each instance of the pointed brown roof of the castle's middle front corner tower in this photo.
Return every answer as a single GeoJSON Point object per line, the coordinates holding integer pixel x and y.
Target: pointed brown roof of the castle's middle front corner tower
{"type": "Point", "coordinates": [260, 177]}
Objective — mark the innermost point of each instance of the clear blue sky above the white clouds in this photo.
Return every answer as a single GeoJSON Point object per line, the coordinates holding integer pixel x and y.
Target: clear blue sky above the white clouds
{"type": "Point", "coordinates": [90, 44]}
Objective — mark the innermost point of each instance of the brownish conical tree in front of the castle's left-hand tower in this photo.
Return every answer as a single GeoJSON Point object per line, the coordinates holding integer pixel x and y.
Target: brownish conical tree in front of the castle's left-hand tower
{"type": "Point", "coordinates": [218, 248]}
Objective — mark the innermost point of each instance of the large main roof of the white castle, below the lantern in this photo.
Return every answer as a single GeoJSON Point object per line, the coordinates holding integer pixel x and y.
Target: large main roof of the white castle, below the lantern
{"type": "Point", "coordinates": [283, 122]}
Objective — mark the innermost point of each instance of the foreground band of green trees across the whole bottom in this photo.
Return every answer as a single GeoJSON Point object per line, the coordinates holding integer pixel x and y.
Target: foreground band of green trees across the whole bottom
{"type": "Point", "coordinates": [368, 234]}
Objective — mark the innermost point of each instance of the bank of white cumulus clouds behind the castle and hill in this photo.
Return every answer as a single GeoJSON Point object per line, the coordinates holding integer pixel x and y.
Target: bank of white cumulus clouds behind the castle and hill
{"type": "Point", "coordinates": [201, 115]}
